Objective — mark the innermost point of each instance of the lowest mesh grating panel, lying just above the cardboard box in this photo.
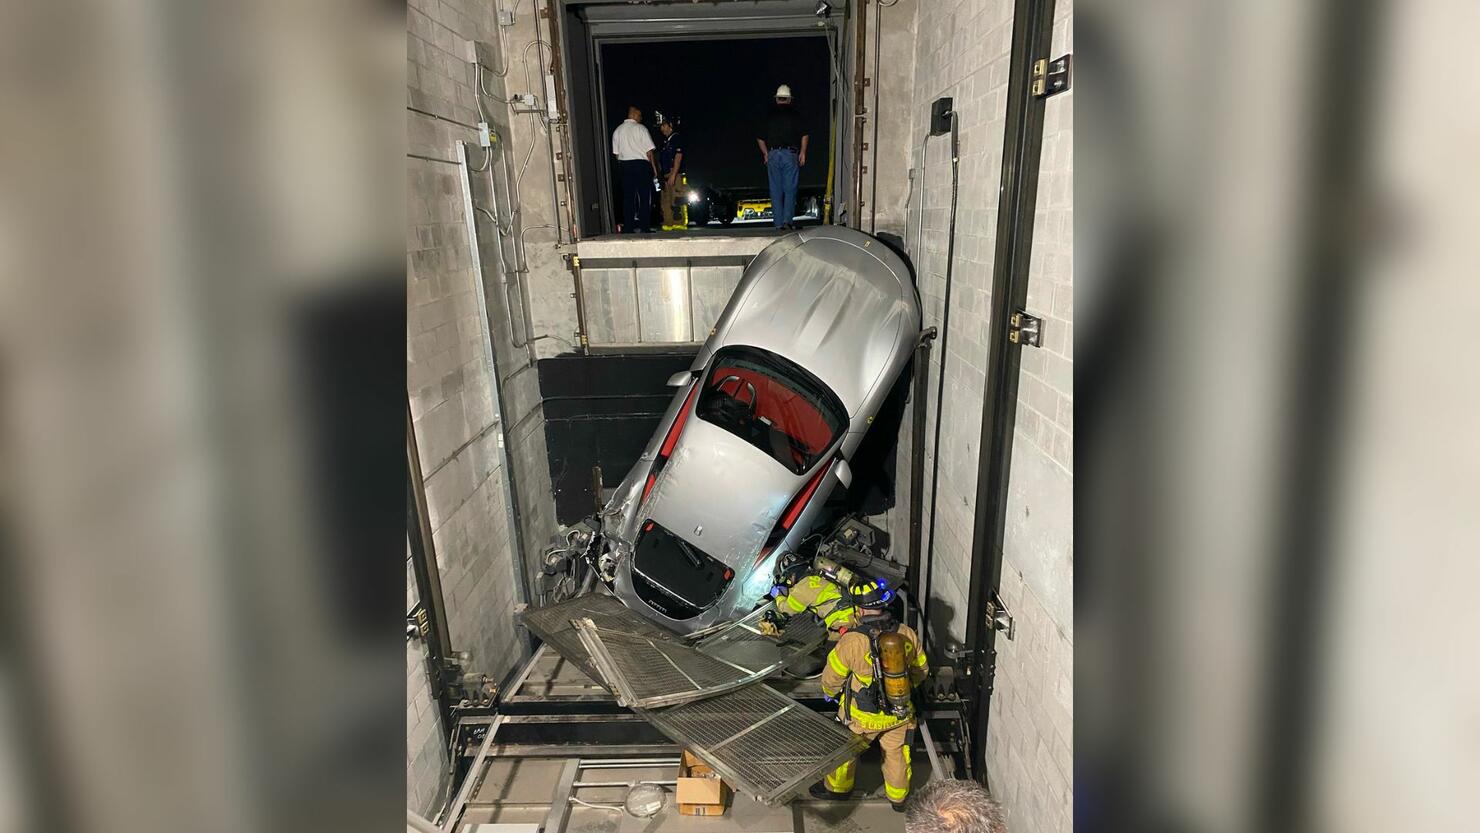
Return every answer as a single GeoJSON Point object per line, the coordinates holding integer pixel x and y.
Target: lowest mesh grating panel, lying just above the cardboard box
{"type": "Point", "coordinates": [763, 742]}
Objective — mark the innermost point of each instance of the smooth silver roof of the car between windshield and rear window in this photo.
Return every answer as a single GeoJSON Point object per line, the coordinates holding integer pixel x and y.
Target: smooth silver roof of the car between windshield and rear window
{"type": "Point", "coordinates": [721, 495]}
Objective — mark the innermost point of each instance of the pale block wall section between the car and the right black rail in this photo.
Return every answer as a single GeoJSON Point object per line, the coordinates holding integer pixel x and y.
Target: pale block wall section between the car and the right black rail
{"type": "Point", "coordinates": [963, 51]}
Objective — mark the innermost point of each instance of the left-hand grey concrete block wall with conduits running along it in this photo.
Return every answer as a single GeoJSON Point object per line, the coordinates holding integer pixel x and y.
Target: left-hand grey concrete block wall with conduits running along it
{"type": "Point", "coordinates": [451, 382]}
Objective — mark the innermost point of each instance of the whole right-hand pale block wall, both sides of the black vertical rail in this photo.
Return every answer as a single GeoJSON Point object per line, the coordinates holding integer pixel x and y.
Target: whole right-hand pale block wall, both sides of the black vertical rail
{"type": "Point", "coordinates": [964, 50]}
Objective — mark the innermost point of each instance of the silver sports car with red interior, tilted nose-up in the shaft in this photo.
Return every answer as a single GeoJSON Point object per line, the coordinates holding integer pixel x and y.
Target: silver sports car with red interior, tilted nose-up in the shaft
{"type": "Point", "coordinates": [764, 422]}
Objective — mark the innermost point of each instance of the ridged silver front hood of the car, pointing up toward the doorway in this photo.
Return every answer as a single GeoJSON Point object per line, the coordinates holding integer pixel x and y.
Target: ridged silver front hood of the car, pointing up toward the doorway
{"type": "Point", "coordinates": [832, 306]}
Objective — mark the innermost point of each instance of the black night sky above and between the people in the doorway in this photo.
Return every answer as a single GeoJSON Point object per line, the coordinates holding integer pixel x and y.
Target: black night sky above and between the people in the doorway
{"type": "Point", "coordinates": [723, 90]}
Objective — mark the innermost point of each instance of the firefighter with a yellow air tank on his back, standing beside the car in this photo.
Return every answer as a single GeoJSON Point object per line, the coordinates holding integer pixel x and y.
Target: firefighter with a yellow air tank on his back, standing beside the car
{"type": "Point", "coordinates": [872, 672]}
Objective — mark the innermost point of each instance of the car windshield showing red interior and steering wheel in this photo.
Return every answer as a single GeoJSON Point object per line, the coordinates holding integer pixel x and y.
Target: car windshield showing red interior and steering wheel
{"type": "Point", "coordinates": [772, 405]}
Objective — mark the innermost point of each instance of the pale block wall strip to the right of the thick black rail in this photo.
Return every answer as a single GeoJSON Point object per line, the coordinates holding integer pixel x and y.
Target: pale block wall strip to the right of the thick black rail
{"type": "Point", "coordinates": [1031, 742]}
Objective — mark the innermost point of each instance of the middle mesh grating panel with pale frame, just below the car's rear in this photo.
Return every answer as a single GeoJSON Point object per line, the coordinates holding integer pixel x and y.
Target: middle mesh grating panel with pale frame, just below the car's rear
{"type": "Point", "coordinates": [647, 674]}
